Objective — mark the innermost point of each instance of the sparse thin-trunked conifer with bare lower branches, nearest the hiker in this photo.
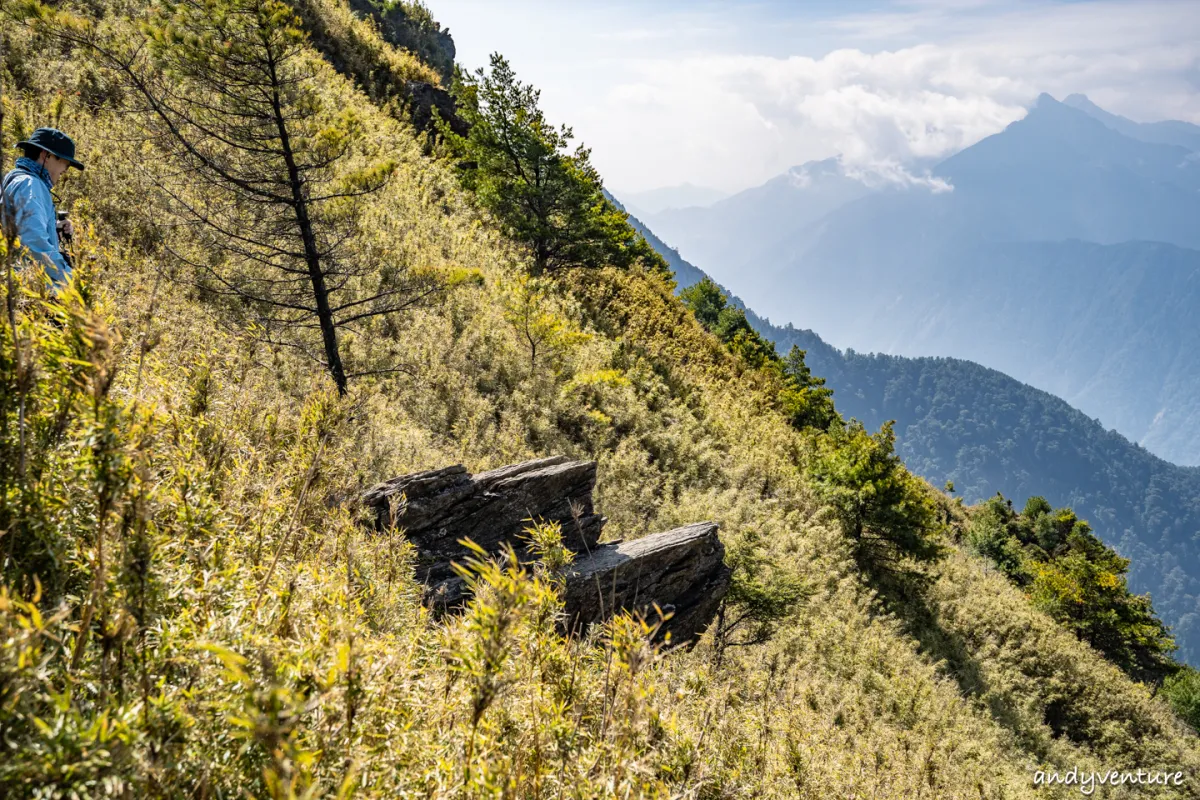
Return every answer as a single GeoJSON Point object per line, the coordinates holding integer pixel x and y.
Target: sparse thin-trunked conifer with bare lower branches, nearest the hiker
{"type": "Point", "coordinates": [266, 173]}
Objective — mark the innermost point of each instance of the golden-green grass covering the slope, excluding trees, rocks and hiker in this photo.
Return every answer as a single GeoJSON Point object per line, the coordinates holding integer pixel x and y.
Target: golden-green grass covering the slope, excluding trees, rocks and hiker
{"type": "Point", "coordinates": [248, 637]}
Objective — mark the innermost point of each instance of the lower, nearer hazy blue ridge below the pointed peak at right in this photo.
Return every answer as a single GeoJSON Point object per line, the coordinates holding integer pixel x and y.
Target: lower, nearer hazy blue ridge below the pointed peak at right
{"type": "Point", "coordinates": [1109, 328]}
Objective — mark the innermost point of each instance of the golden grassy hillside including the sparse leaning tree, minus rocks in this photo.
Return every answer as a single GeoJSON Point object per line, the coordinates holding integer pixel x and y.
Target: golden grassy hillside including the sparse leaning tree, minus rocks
{"type": "Point", "coordinates": [191, 606]}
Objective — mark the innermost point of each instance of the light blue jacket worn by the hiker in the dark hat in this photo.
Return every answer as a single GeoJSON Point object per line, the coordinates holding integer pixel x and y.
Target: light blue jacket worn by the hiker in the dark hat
{"type": "Point", "coordinates": [29, 208]}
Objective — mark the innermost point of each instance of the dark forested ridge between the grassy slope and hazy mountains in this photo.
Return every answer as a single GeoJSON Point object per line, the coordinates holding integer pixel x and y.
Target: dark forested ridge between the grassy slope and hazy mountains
{"type": "Point", "coordinates": [987, 432]}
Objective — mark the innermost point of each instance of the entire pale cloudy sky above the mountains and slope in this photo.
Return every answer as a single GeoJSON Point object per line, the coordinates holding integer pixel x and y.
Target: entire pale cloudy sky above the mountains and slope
{"type": "Point", "coordinates": [731, 94]}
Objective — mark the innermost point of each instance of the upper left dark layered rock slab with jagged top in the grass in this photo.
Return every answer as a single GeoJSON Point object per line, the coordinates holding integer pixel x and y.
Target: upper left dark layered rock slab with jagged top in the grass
{"type": "Point", "coordinates": [439, 508]}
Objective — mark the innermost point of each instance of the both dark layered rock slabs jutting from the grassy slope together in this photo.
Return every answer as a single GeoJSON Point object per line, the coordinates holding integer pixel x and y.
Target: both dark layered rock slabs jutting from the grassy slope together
{"type": "Point", "coordinates": [681, 570]}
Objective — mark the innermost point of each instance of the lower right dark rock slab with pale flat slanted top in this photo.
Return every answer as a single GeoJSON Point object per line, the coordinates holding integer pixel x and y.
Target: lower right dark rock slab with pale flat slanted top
{"type": "Point", "coordinates": [682, 570]}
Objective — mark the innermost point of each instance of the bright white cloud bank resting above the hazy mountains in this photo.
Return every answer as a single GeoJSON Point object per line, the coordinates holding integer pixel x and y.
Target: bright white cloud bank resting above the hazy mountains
{"type": "Point", "coordinates": [761, 116]}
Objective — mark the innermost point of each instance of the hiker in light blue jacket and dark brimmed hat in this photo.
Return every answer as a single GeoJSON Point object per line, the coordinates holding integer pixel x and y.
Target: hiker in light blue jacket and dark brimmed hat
{"type": "Point", "coordinates": [28, 207]}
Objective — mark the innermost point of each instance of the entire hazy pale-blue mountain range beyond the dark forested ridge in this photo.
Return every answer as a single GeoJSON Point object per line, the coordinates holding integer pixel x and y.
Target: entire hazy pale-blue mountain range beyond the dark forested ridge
{"type": "Point", "coordinates": [1065, 255]}
